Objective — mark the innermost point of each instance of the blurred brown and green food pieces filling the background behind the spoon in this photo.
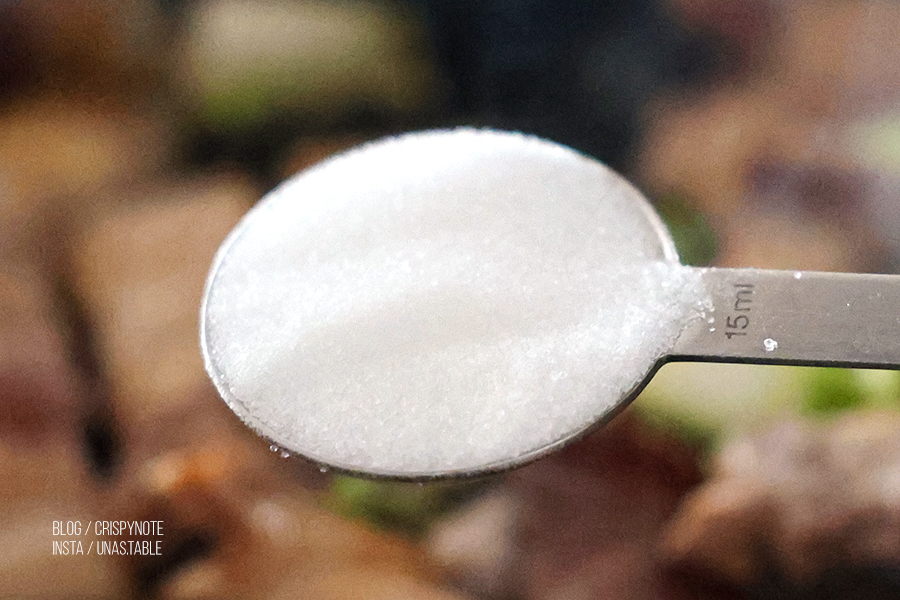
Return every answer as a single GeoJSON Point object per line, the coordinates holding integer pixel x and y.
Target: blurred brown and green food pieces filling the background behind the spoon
{"type": "Point", "coordinates": [135, 133]}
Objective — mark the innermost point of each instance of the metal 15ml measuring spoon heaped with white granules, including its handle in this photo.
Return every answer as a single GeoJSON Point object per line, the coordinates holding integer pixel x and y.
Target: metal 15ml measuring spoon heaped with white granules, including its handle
{"type": "Point", "coordinates": [458, 302]}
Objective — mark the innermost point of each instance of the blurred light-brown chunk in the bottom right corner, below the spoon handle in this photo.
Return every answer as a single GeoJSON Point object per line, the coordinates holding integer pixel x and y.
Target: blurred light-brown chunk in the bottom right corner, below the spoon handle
{"type": "Point", "coordinates": [798, 512]}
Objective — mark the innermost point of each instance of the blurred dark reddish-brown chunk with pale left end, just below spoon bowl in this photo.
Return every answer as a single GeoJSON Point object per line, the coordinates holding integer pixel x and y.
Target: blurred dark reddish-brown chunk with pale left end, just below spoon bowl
{"type": "Point", "coordinates": [581, 523]}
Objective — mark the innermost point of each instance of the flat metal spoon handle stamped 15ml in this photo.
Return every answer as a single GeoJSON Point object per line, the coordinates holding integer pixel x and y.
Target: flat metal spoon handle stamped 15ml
{"type": "Point", "coordinates": [796, 318]}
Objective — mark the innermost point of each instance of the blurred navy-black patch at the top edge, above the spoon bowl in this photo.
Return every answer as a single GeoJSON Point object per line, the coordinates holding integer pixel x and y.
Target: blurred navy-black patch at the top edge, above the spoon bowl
{"type": "Point", "coordinates": [575, 71]}
